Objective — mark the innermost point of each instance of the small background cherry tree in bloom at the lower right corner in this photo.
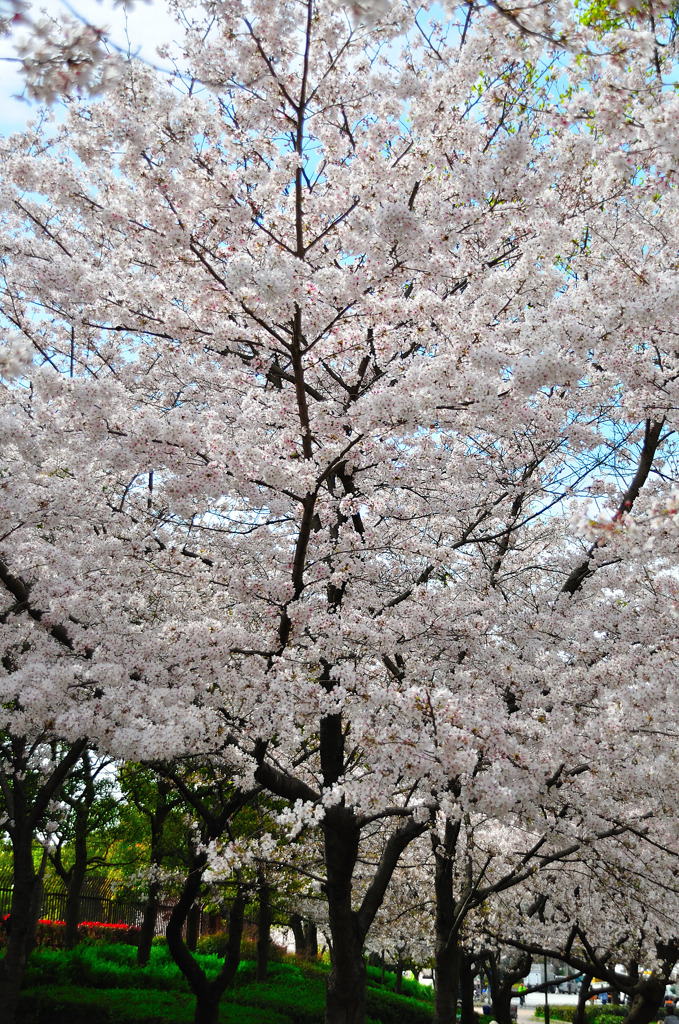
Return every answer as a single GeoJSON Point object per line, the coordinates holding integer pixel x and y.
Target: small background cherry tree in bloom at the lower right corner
{"type": "Point", "coordinates": [611, 914]}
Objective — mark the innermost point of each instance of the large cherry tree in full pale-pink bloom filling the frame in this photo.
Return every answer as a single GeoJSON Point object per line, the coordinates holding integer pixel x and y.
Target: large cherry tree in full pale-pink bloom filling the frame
{"type": "Point", "coordinates": [330, 335]}
